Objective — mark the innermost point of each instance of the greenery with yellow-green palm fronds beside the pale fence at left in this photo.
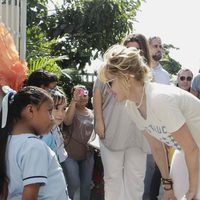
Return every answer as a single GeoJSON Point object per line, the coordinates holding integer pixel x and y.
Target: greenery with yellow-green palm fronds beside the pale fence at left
{"type": "Point", "coordinates": [38, 54]}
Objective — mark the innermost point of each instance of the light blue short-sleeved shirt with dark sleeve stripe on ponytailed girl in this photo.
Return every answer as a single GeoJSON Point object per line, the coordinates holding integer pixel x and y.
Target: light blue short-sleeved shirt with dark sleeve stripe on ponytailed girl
{"type": "Point", "coordinates": [29, 160]}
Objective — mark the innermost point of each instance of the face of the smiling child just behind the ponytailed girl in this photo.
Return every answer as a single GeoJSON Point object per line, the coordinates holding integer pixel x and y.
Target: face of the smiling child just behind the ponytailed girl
{"type": "Point", "coordinates": [59, 113]}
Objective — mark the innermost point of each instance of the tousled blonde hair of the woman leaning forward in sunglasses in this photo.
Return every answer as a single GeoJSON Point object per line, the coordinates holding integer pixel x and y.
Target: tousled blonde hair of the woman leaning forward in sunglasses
{"type": "Point", "coordinates": [120, 61]}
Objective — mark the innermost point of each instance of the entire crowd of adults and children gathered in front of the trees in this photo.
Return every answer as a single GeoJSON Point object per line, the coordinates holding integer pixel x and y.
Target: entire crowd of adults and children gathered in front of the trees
{"type": "Point", "coordinates": [147, 129]}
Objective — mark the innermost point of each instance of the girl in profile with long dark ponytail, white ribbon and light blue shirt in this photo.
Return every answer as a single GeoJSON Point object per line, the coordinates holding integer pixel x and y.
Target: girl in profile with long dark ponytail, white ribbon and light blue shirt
{"type": "Point", "coordinates": [28, 167]}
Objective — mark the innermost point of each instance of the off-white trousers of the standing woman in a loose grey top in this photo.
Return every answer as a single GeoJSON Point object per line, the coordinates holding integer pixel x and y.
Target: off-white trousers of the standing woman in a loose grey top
{"type": "Point", "coordinates": [124, 173]}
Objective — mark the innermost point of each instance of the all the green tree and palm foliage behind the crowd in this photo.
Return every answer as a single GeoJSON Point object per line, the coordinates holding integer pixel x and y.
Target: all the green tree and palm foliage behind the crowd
{"type": "Point", "coordinates": [80, 30]}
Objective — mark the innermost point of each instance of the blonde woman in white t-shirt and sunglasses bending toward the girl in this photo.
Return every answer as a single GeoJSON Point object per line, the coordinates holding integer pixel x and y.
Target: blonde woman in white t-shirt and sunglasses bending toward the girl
{"type": "Point", "coordinates": [166, 114]}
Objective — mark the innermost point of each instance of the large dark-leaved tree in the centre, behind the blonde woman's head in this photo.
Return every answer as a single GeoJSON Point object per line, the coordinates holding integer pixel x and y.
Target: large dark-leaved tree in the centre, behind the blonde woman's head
{"type": "Point", "coordinates": [85, 26]}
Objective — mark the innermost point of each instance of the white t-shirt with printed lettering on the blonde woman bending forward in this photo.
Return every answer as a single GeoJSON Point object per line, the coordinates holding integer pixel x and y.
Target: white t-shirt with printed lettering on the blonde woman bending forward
{"type": "Point", "coordinates": [168, 108]}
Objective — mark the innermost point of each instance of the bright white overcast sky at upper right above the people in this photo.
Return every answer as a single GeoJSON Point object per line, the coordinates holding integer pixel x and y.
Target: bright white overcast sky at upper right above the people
{"type": "Point", "coordinates": [176, 22]}
